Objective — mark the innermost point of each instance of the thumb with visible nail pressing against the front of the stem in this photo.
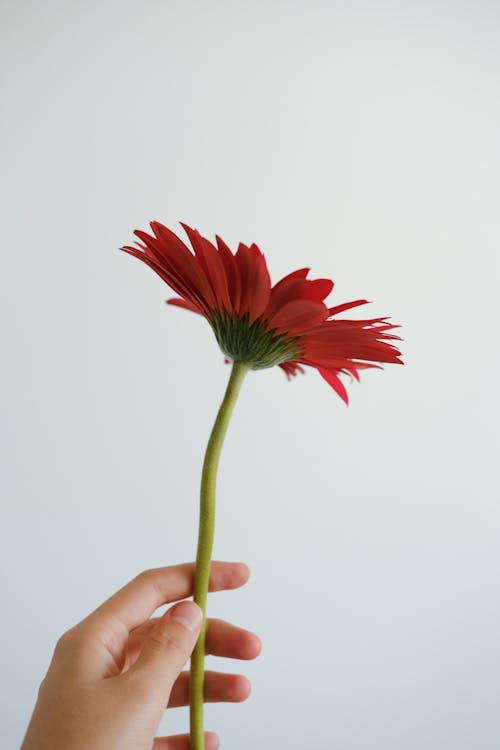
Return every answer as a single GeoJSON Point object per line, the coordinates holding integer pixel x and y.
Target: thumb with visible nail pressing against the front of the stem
{"type": "Point", "coordinates": [168, 647]}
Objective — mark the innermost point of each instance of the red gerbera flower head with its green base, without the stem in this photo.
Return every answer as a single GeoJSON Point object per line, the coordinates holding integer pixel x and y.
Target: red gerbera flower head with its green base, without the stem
{"type": "Point", "coordinates": [287, 324]}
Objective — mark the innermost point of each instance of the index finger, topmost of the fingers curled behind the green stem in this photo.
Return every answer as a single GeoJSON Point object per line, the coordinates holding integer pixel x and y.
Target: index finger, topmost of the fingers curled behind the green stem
{"type": "Point", "coordinates": [137, 600]}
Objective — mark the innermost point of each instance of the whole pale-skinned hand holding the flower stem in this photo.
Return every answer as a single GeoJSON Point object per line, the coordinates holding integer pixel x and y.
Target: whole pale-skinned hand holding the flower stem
{"type": "Point", "coordinates": [113, 674]}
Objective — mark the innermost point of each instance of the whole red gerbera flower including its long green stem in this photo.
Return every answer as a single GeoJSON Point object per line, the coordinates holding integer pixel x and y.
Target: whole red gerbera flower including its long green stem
{"type": "Point", "coordinates": [257, 325]}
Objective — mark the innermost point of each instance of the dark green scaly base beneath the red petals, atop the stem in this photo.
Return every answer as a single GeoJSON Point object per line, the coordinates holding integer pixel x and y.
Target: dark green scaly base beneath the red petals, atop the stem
{"type": "Point", "coordinates": [255, 344]}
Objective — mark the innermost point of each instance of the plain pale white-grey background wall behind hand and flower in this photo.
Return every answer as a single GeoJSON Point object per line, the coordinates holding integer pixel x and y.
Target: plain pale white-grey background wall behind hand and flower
{"type": "Point", "coordinates": [361, 139]}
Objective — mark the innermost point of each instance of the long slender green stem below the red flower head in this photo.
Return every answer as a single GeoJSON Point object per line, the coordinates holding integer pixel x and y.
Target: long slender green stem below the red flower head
{"type": "Point", "coordinates": [205, 542]}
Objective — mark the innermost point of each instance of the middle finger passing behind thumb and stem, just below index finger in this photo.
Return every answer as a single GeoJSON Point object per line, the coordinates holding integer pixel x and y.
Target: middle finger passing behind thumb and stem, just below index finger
{"type": "Point", "coordinates": [222, 639]}
